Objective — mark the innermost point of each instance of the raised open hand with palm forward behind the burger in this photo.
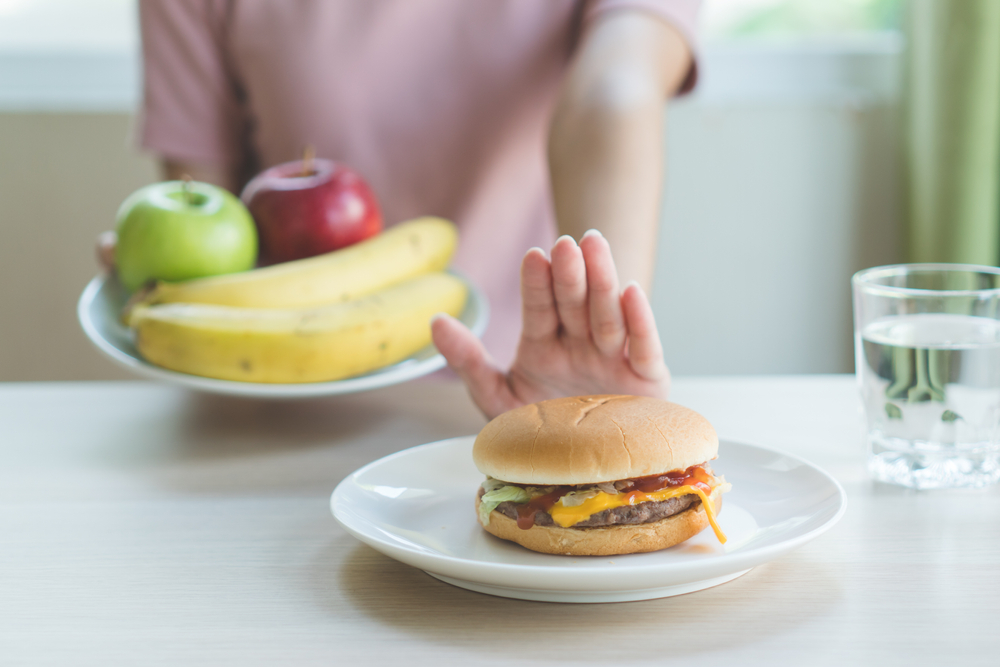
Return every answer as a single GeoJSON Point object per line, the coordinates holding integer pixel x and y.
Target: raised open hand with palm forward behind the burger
{"type": "Point", "coordinates": [581, 334]}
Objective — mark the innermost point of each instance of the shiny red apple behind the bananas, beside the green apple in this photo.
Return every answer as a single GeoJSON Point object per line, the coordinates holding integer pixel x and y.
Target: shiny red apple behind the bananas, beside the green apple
{"type": "Point", "coordinates": [309, 207]}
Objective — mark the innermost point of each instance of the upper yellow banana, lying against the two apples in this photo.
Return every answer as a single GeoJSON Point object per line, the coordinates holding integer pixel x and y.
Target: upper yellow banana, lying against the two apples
{"type": "Point", "coordinates": [409, 249]}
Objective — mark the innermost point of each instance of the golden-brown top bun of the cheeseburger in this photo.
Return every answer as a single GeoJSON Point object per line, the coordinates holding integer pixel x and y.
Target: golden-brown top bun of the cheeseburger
{"type": "Point", "coordinates": [593, 439]}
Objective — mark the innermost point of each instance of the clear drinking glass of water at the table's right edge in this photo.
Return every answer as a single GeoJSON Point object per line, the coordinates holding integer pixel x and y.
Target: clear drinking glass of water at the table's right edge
{"type": "Point", "coordinates": [927, 356]}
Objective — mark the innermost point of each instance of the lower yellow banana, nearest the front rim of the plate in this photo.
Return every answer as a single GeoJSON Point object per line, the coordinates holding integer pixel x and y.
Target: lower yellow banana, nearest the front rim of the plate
{"type": "Point", "coordinates": [296, 345]}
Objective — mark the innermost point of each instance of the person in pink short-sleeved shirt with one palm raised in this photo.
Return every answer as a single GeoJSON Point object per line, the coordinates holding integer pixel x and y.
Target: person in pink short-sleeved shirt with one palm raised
{"type": "Point", "coordinates": [517, 119]}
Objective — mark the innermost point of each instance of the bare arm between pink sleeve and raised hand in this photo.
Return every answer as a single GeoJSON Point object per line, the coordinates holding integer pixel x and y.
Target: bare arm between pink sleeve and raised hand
{"type": "Point", "coordinates": [606, 138]}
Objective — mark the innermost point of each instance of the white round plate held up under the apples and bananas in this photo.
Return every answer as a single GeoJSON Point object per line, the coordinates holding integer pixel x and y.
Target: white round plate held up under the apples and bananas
{"type": "Point", "coordinates": [102, 301]}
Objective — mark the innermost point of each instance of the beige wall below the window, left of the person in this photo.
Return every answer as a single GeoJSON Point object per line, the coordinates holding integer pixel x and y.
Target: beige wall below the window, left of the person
{"type": "Point", "coordinates": [62, 177]}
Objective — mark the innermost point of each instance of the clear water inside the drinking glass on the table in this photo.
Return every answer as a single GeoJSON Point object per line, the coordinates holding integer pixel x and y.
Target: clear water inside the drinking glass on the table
{"type": "Point", "coordinates": [930, 384]}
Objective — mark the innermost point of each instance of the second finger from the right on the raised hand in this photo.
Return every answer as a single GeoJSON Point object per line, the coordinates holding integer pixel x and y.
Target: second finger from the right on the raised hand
{"type": "Point", "coordinates": [607, 324]}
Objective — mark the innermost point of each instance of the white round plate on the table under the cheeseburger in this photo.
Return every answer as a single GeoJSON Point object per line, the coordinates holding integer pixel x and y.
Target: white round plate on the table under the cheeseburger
{"type": "Point", "coordinates": [417, 506]}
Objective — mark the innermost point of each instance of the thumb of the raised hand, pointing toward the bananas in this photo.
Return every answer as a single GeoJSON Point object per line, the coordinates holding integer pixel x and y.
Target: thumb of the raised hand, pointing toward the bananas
{"type": "Point", "coordinates": [467, 357]}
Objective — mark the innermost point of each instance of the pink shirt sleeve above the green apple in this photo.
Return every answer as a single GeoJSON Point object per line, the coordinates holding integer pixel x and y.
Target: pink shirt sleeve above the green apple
{"type": "Point", "coordinates": [191, 107]}
